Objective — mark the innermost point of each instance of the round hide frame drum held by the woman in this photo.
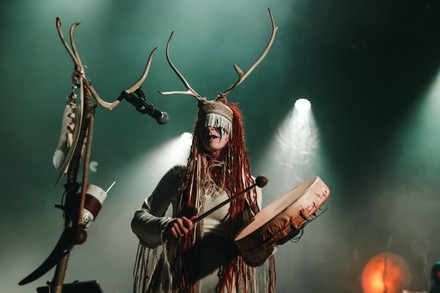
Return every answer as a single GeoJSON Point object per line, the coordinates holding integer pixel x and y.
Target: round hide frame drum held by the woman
{"type": "Point", "coordinates": [279, 220]}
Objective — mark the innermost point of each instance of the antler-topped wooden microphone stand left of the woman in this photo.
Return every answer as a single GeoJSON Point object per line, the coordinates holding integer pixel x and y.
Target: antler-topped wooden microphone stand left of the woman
{"type": "Point", "coordinates": [73, 207]}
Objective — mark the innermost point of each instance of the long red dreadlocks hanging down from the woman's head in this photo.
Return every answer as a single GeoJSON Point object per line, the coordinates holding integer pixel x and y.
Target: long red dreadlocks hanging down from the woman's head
{"type": "Point", "coordinates": [235, 176]}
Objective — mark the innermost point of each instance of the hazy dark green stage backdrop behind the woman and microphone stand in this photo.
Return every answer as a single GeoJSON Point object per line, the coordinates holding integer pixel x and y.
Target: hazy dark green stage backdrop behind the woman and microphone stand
{"type": "Point", "coordinates": [370, 69]}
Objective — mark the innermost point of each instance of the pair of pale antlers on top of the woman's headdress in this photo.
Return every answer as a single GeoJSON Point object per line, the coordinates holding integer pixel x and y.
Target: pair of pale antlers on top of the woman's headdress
{"type": "Point", "coordinates": [222, 96]}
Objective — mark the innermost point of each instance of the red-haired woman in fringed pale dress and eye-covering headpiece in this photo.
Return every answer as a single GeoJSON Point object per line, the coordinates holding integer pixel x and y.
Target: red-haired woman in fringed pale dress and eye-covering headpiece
{"type": "Point", "coordinates": [201, 257]}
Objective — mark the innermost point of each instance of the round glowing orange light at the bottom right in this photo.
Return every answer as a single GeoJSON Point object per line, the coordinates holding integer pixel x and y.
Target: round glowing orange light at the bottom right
{"type": "Point", "coordinates": [385, 272]}
